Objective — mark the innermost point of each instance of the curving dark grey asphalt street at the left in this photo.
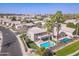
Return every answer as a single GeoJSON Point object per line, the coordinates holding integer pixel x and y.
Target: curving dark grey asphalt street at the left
{"type": "Point", "coordinates": [10, 44]}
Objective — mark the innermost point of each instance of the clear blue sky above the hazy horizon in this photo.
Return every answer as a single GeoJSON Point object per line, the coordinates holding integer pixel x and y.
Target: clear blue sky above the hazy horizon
{"type": "Point", "coordinates": [39, 8]}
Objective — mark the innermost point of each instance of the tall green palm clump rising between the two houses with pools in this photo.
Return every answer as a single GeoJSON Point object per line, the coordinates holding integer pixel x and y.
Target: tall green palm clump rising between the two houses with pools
{"type": "Point", "coordinates": [56, 19]}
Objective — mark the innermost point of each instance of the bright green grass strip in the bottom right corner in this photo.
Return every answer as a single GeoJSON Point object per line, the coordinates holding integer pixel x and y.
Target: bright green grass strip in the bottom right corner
{"type": "Point", "coordinates": [68, 50]}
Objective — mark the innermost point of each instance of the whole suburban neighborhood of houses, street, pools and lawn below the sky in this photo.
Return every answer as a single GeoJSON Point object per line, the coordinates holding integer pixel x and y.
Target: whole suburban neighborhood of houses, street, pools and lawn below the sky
{"type": "Point", "coordinates": [39, 34]}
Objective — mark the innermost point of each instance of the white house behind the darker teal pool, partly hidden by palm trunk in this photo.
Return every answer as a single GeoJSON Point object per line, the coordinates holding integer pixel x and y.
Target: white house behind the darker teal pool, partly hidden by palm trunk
{"type": "Point", "coordinates": [68, 31]}
